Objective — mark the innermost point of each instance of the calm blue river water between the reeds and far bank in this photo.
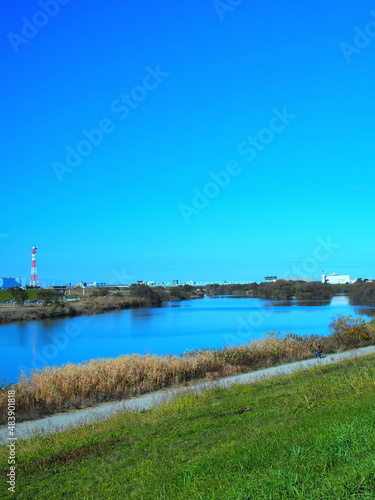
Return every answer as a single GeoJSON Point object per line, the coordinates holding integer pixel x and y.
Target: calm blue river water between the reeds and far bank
{"type": "Point", "coordinates": [171, 329]}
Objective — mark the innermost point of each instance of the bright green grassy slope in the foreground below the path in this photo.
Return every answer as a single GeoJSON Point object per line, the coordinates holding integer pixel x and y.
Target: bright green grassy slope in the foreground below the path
{"type": "Point", "coordinates": [306, 436]}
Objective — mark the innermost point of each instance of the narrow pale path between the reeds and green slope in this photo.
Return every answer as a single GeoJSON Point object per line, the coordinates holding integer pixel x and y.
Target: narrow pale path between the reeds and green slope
{"type": "Point", "coordinates": [62, 421]}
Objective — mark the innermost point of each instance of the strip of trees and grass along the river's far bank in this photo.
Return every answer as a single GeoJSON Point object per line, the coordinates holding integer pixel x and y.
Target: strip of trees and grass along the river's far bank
{"type": "Point", "coordinates": [98, 300]}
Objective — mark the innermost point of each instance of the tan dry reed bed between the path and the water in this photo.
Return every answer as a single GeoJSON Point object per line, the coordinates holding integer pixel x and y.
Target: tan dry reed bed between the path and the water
{"type": "Point", "coordinates": [55, 389]}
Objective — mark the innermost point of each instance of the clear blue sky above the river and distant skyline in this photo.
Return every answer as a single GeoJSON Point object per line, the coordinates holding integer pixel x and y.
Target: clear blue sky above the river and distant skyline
{"type": "Point", "coordinates": [204, 78]}
